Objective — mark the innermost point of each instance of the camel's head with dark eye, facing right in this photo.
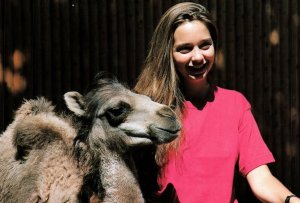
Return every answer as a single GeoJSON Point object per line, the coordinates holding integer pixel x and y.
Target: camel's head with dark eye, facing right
{"type": "Point", "coordinates": [114, 112]}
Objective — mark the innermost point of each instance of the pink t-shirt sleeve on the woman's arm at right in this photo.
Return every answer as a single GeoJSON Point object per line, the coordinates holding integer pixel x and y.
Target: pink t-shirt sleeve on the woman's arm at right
{"type": "Point", "coordinates": [253, 152]}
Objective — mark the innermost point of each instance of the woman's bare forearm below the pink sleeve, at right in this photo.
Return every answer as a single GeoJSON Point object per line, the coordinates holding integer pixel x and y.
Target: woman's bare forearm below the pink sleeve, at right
{"type": "Point", "coordinates": [267, 188]}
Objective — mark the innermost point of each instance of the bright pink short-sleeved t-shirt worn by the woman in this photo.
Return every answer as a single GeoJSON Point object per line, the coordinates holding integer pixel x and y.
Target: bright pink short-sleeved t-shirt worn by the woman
{"type": "Point", "coordinates": [221, 135]}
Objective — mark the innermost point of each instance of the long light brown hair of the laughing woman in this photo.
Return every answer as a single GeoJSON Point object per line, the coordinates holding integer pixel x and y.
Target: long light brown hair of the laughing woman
{"type": "Point", "coordinates": [159, 78]}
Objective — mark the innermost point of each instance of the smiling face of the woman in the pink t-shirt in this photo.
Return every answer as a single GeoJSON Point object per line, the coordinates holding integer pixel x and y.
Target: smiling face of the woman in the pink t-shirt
{"type": "Point", "coordinates": [193, 51]}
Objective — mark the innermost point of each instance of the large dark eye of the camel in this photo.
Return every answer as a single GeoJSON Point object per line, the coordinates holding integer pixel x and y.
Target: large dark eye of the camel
{"type": "Point", "coordinates": [117, 114]}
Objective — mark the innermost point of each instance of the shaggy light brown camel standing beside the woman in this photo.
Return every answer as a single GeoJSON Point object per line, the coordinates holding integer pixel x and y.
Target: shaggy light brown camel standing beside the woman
{"type": "Point", "coordinates": [69, 156]}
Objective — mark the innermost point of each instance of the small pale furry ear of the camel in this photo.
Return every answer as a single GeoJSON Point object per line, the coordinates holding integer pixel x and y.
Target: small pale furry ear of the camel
{"type": "Point", "coordinates": [75, 103]}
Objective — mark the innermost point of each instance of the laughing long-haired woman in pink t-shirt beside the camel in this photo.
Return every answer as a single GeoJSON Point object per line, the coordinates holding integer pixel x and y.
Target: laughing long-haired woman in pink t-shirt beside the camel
{"type": "Point", "coordinates": [219, 130]}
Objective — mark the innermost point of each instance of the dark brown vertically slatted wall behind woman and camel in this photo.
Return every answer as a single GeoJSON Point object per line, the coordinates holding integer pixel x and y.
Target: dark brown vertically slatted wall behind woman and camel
{"type": "Point", "coordinates": [48, 47]}
